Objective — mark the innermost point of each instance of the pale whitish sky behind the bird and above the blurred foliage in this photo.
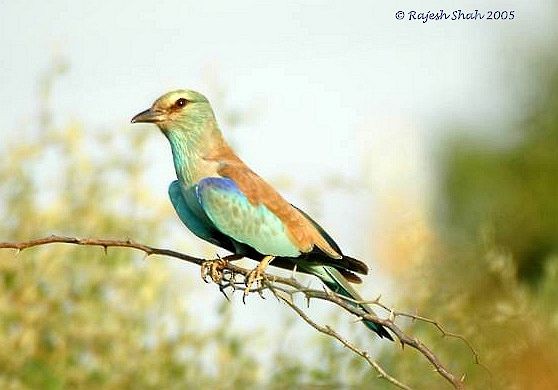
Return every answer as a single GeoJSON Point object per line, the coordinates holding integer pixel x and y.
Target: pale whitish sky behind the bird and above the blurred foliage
{"type": "Point", "coordinates": [330, 85]}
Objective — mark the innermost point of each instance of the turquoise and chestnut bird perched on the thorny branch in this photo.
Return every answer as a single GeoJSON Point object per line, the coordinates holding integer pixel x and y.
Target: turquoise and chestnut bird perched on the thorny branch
{"type": "Point", "coordinates": [222, 201]}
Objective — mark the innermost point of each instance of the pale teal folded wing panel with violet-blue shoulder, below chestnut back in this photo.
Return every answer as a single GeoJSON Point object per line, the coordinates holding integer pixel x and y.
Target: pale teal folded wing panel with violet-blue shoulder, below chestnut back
{"type": "Point", "coordinates": [233, 214]}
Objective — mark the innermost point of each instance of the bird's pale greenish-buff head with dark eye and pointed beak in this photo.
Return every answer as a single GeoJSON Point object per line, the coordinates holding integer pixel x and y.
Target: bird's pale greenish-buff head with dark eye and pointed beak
{"type": "Point", "coordinates": [177, 110]}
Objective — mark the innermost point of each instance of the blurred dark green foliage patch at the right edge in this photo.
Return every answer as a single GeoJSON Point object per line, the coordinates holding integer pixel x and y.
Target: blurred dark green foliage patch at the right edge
{"type": "Point", "coordinates": [513, 189]}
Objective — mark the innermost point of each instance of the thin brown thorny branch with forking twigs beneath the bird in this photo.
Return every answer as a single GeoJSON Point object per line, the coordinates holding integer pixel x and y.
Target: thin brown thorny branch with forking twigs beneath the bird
{"type": "Point", "coordinates": [284, 289]}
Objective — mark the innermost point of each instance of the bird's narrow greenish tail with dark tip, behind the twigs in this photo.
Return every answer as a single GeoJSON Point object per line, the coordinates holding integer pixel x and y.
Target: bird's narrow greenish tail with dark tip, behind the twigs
{"type": "Point", "coordinates": [333, 279]}
